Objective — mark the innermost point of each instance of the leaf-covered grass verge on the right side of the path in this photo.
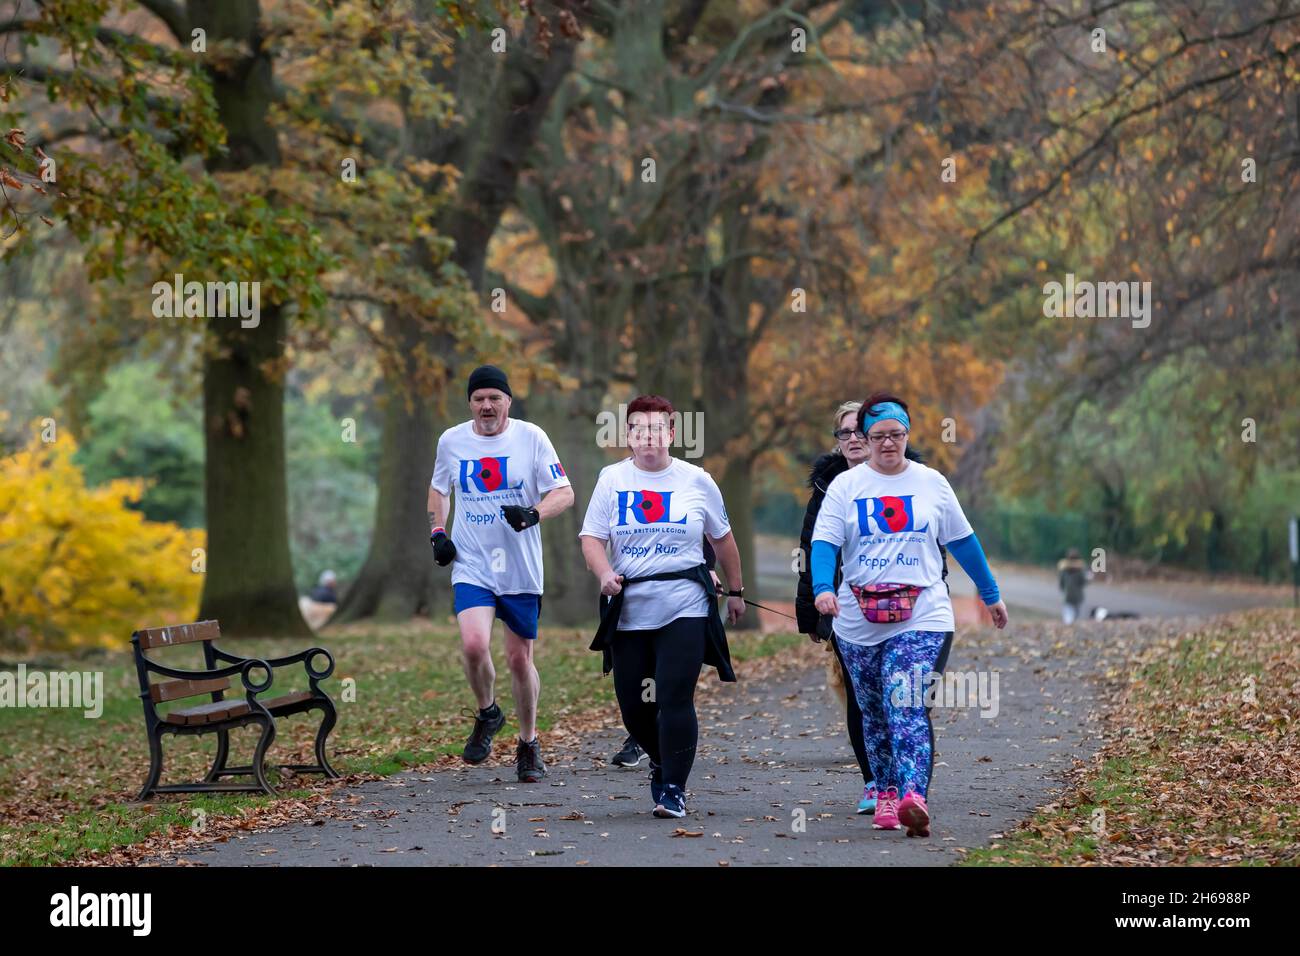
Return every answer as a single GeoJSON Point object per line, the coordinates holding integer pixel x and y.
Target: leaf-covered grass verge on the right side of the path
{"type": "Point", "coordinates": [1202, 763]}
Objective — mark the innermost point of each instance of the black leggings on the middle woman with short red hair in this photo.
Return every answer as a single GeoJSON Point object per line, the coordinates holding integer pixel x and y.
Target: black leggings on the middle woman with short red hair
{"type": "Point", "coordinates": [661, 716]}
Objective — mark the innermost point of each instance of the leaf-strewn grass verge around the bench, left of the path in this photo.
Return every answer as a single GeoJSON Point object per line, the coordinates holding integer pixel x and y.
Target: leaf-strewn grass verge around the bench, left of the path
{"type": "Point", "coordinates": [68, 785]}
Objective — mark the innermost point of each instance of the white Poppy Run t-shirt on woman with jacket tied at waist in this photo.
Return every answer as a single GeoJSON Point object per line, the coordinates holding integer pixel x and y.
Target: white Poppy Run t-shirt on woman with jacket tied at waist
{"type": "Point", "coordinates": [656, 521]}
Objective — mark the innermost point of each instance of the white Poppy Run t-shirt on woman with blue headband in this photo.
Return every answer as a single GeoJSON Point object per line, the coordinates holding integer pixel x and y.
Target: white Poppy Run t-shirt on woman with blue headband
{"type": "Point", "coordinates": [889, 529]}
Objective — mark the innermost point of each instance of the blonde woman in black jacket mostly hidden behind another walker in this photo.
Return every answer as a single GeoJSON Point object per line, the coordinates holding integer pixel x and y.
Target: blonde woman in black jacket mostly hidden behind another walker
{"type": "Point", "coordinates": [851, 451]}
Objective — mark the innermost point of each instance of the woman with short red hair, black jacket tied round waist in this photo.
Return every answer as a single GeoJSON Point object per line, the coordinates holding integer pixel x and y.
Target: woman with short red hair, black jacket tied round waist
{"type": "Point", "coordinates": [651, 512]}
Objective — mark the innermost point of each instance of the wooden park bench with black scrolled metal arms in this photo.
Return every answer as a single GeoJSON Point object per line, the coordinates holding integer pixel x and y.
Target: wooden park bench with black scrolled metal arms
{"type": "Point", "coordinates": [222, 716]}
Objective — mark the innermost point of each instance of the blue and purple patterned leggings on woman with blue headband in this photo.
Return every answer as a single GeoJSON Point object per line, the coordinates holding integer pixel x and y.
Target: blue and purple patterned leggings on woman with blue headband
{"type": "Point", "coordinates": [896, 728]}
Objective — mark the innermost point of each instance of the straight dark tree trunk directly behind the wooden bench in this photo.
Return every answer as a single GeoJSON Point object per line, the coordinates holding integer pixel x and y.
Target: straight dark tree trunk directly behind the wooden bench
{"type": "Point", "coordinates": [249, 586]}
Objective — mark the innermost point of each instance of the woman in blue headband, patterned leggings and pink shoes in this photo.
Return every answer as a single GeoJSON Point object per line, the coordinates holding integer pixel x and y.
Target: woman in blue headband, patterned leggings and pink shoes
{"type": "Point", "coordinates": [894, 620]}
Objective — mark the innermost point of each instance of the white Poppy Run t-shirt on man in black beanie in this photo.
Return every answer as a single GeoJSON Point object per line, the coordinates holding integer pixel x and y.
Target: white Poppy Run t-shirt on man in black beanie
{"type": "Point", "coordinates": [515, 468]}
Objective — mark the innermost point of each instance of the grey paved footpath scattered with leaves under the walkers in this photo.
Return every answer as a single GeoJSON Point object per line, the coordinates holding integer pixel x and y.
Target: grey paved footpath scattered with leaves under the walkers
{"type": "Point", "coordinates": [774, 781]}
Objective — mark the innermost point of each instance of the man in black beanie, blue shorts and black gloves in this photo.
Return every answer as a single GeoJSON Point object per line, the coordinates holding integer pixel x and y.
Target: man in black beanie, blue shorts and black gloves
{"type": "Point", "coordinates": [508, 479]}
